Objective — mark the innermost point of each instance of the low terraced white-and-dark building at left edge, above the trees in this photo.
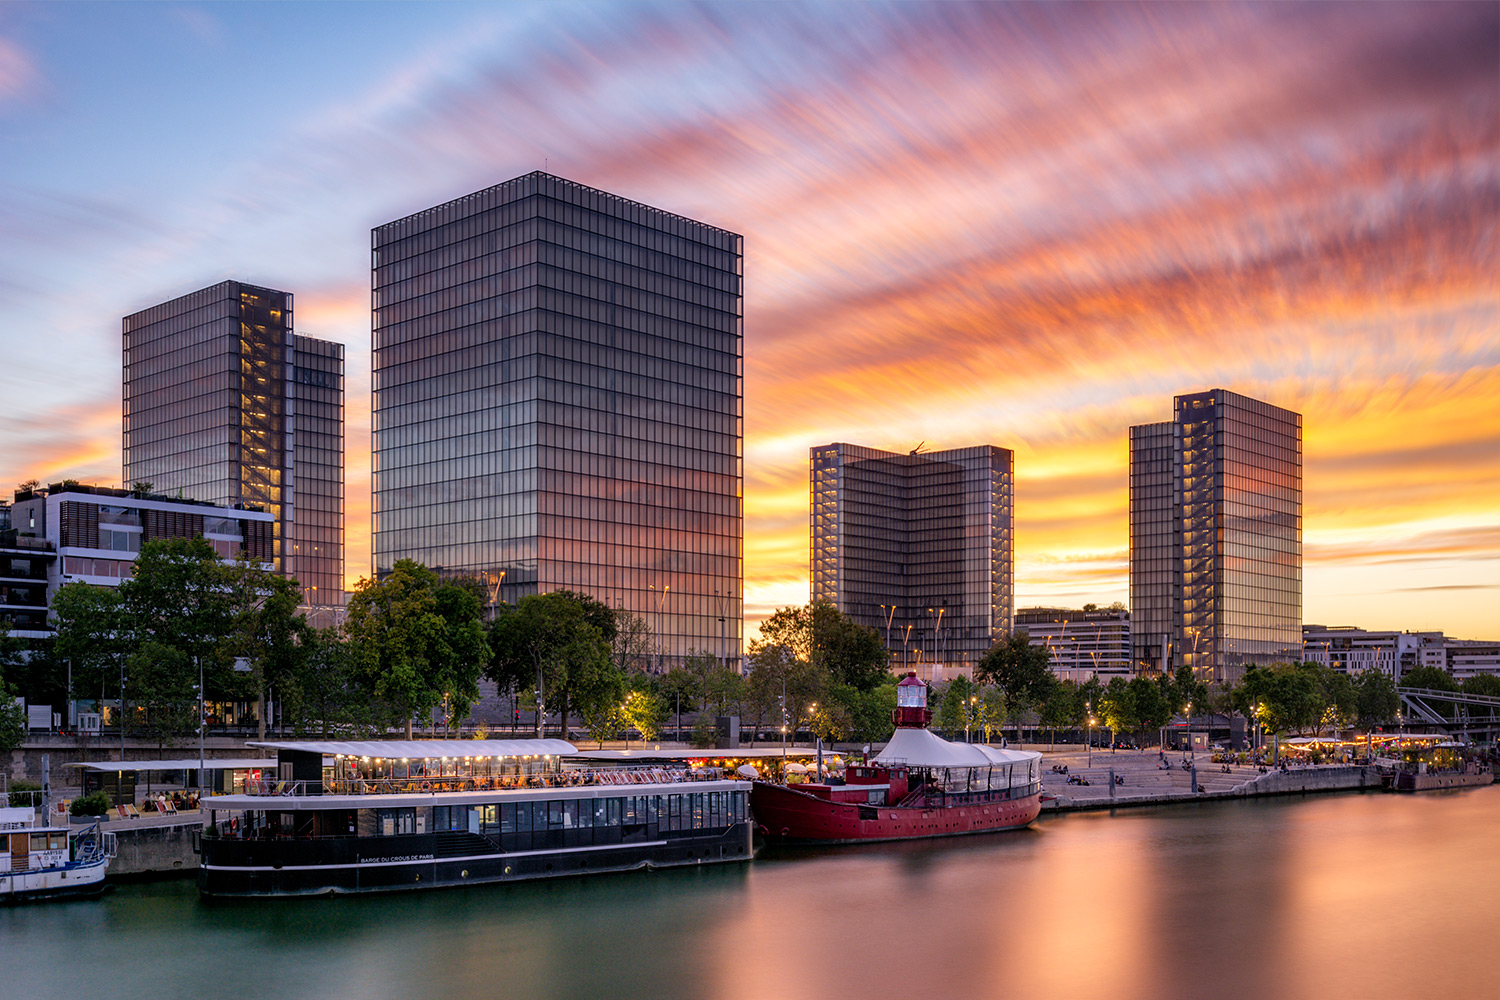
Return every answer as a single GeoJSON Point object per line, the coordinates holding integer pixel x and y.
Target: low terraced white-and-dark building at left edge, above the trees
{"type": "Point", "coordinates": [92, 534]}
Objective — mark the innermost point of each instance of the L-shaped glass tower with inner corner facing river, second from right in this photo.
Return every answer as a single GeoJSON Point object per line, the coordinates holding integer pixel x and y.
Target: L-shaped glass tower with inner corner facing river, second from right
{"type": "Point", "coordinates": [919, 548]}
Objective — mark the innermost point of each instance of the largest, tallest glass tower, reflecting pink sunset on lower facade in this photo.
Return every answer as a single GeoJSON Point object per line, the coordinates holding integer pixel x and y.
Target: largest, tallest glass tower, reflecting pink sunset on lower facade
{"type": "Point", "coordinates": [559, 404]}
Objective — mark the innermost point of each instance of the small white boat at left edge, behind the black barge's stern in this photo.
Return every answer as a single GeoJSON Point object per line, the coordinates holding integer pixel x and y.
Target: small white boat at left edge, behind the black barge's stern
{"type": "Point", "coordinates": [44, 863]}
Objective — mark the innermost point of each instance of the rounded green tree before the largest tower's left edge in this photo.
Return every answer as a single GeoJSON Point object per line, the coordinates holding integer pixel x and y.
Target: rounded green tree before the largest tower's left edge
{"type": "Point", "coordinates": [416, 641]}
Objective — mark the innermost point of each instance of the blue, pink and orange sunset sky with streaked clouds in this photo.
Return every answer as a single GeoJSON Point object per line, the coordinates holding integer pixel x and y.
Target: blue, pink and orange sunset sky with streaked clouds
{"type": "Point", "coordinates": [1024, 226]}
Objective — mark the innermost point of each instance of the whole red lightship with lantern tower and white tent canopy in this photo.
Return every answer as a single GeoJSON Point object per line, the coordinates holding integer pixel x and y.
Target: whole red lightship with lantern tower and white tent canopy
{"type": "Point", "coordinates": [919, 786]}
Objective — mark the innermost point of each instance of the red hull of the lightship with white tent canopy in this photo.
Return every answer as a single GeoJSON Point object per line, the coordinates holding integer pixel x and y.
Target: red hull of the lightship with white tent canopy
{"type": "Point", "coordinates": [782, 813]}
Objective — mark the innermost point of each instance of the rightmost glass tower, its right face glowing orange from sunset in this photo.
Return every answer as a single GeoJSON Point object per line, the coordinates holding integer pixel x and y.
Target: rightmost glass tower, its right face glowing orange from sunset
{"type": "Point", "coordinates": [1216, 545]}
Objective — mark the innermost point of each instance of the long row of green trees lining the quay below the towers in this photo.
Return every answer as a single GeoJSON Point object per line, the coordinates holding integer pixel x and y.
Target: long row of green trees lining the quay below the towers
{"type": "Point", "coordinates": [413, 642]}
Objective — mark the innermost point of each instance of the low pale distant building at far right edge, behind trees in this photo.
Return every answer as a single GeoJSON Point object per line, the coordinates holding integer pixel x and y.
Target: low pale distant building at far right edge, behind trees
{"type": "Point", "coordinates": [1354, 650]}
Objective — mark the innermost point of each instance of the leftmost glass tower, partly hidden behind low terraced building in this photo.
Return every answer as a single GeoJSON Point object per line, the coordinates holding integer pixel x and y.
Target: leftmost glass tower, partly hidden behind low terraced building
{"type": "Point", "coordinates": [226, 404]}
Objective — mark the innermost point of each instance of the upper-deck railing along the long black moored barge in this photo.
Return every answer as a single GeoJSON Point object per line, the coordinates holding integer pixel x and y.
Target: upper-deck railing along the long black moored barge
{"type": "Point", "coordinates": [484, 783]}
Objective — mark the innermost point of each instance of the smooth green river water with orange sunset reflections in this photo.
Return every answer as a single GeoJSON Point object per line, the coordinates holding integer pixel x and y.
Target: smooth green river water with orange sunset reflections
{"type": "Point", "coordinates": [1346, 896]}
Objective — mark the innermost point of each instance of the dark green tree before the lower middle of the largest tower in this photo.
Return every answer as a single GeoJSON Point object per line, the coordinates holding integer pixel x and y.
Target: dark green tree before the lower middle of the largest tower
{"type": "Point", "coordinates": [566, 639]}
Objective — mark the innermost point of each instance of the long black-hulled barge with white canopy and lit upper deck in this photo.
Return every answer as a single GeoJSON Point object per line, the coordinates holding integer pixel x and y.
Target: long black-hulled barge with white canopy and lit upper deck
{"type": "Point", "coordinates": [413, 815]}
